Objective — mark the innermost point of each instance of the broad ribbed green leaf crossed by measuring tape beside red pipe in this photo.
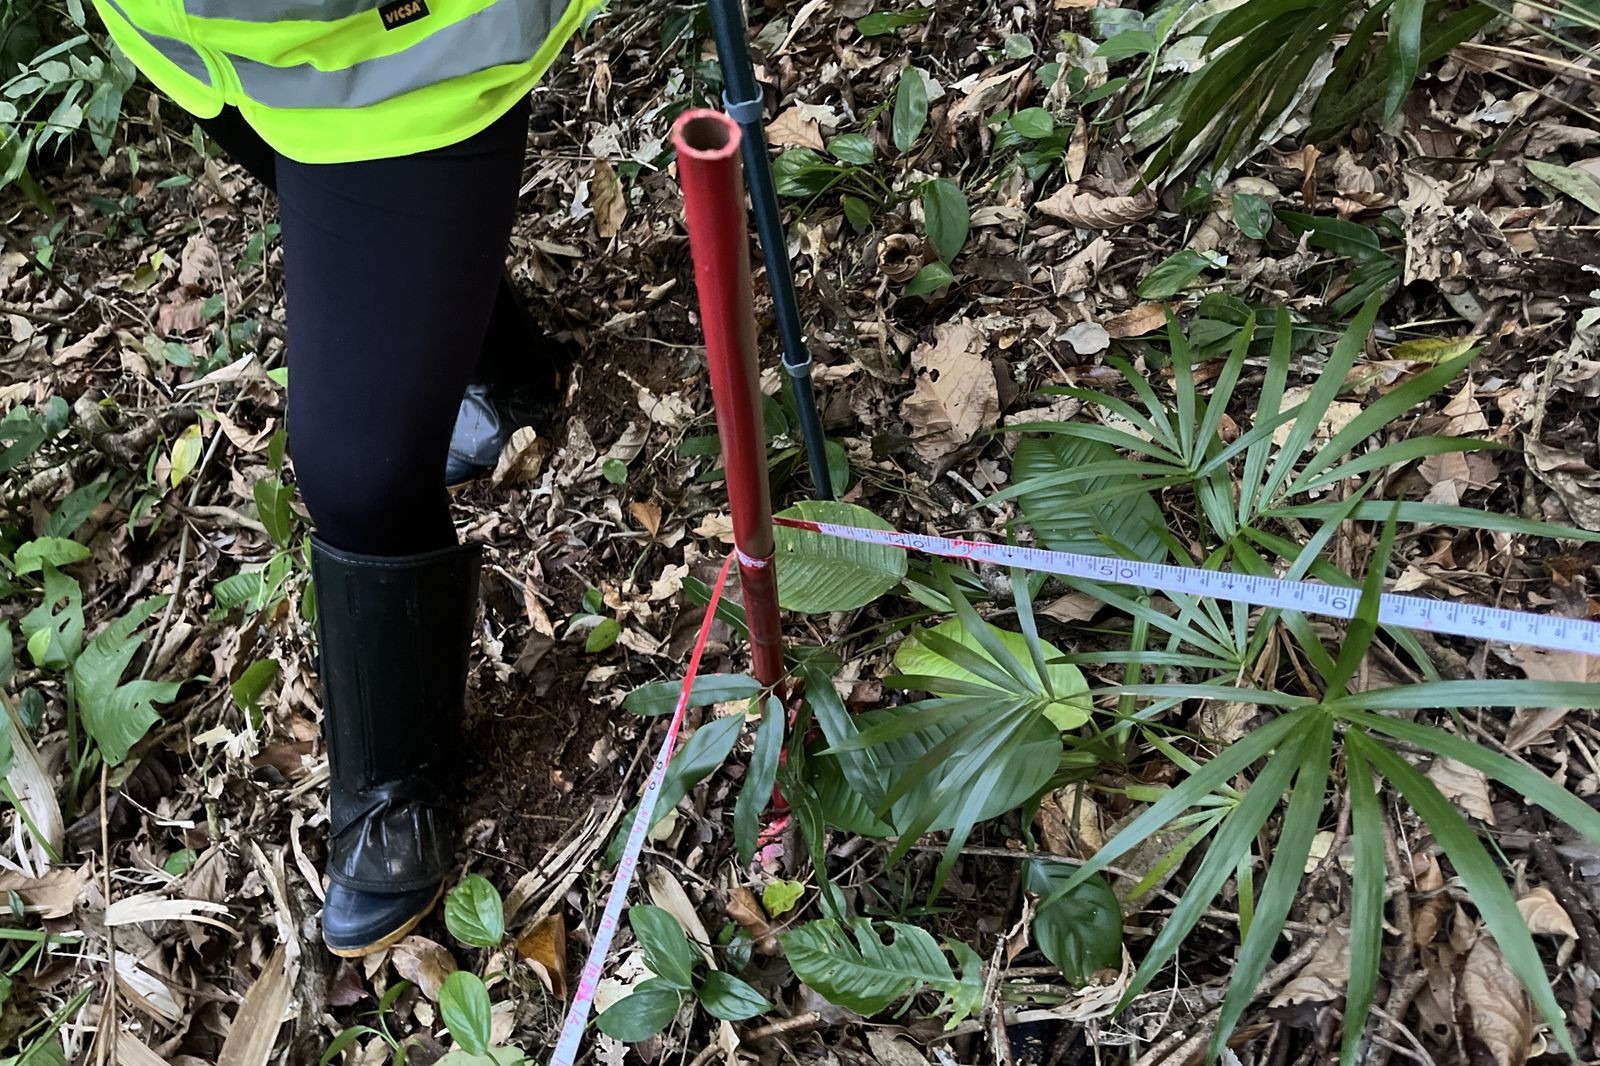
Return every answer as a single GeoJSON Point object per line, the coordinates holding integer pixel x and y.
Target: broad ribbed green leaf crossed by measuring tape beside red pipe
{"type": "Point", "coordinates": [823, 574]}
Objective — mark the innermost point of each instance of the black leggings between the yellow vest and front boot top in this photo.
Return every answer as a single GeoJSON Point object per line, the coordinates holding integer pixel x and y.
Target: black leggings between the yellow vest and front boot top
{"type": "Point", "coordinates": [394, 273]}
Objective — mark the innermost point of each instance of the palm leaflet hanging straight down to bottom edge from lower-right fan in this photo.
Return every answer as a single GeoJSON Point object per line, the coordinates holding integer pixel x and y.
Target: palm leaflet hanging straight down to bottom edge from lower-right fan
{"type": "Point", "coordinates": [1367, 900]}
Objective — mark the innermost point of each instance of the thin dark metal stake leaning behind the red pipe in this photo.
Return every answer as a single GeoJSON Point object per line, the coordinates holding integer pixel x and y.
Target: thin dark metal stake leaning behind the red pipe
{"type": "Point", "coordinates": [742, 98]}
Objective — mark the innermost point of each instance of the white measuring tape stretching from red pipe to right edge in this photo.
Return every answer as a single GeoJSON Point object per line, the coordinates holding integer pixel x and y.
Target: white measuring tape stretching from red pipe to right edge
{"type": "Point", "coordinates": [1412, 612]}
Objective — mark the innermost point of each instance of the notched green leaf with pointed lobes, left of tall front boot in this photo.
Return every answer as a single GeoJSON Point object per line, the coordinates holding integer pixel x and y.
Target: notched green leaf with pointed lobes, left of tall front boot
{"type": "Point", "coordinates": [119, 716]}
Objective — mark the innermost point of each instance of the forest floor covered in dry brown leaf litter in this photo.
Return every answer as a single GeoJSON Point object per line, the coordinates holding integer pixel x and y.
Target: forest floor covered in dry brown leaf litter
{"type": "Point", "coordinates": [153, 302]}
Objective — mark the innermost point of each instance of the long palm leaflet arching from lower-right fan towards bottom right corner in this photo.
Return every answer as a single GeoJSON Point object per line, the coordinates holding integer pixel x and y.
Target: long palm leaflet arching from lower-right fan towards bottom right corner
{"type": "Point", "coordinates": [1479, 876]}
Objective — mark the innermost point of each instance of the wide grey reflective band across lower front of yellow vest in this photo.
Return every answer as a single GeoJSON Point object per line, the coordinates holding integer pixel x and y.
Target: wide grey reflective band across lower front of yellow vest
{"type": "Point", "coordinates": [510, 31]}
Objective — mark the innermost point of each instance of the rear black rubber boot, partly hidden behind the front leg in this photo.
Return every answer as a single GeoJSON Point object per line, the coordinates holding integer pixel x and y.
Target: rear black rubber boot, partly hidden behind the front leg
{"type": "Point", "coordinates": [519, 382]}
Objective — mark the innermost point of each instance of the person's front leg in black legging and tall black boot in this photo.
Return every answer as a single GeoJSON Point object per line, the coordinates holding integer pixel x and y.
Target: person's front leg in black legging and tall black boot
{"type": "Point", "coordinates": [391, 270]}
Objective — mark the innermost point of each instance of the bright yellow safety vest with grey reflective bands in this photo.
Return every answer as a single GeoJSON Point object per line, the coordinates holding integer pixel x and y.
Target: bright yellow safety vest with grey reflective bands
{"type": "Point", "coordinates": [342, 81]}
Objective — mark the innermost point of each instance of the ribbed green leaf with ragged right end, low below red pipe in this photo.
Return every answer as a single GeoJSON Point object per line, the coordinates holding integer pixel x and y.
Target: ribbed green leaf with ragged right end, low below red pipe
{"type": "Point", "coordinates": [878, 974]}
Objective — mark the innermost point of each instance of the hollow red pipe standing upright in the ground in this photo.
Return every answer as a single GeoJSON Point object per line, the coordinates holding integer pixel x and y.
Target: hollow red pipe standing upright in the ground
{"type": "Point", "coordinates": [708, 150]}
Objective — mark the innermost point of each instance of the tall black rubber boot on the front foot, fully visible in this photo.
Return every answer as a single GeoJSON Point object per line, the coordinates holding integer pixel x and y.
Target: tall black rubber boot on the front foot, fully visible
{"type": "Point", "coordinates": [394, 638]}
